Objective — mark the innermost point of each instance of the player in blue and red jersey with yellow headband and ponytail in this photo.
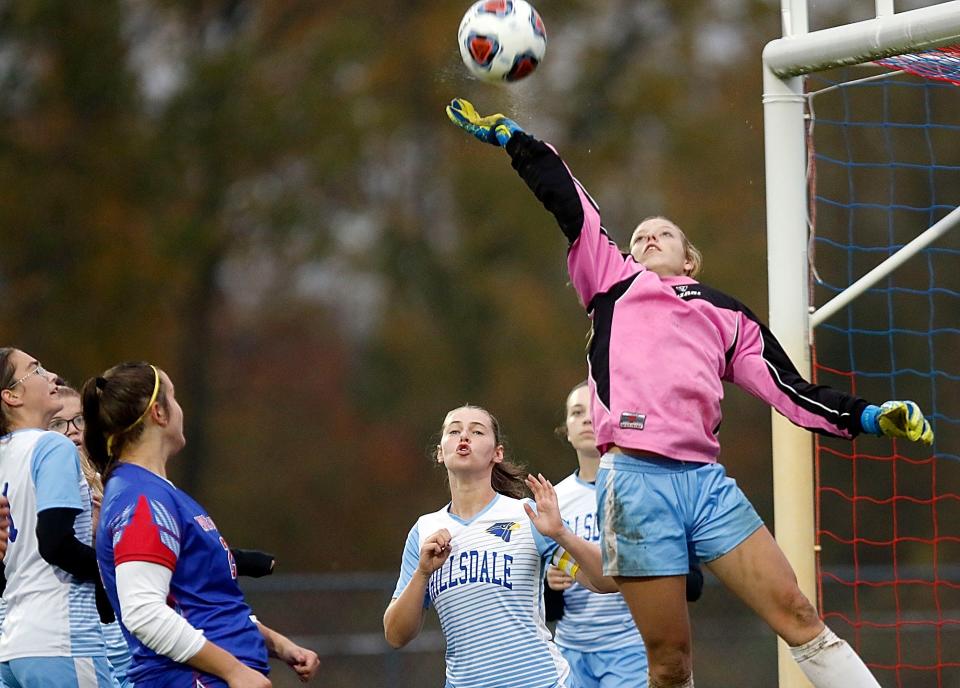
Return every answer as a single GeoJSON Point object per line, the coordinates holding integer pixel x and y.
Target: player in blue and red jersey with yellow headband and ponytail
{"type": "Point", "coordinates": [169, 573]}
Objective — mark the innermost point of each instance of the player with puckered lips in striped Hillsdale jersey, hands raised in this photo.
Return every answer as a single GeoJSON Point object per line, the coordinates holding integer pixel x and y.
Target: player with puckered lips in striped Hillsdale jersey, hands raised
{"type": "Point", "coordinates": [480, 560]}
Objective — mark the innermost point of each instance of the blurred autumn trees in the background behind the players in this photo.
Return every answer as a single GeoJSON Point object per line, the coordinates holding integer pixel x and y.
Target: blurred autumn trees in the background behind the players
{"type": "Point", "coordinates": [266, 199]}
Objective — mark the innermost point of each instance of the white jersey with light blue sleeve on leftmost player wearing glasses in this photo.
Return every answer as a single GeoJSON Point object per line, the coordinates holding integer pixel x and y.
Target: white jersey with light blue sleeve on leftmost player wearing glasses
{"type": "Point", "coordinates": [49, 612]}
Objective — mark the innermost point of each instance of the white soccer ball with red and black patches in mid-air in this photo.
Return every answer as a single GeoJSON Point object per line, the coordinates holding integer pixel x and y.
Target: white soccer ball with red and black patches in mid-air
{"type": "Point", "coordinates": [502, 40]}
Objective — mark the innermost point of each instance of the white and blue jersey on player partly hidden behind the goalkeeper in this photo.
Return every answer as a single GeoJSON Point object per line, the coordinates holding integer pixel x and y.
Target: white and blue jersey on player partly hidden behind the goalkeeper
{"type": "Point", "coordinates": [591, 622]}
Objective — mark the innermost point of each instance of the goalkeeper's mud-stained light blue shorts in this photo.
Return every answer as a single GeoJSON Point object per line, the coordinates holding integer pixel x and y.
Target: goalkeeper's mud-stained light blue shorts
{"type": "Point", "coordinates": [654, 512]}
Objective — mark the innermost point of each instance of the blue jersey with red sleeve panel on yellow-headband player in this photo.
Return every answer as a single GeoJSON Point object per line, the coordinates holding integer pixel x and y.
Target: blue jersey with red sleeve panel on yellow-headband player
{"type": "Point", "coordinates": [146, 518]}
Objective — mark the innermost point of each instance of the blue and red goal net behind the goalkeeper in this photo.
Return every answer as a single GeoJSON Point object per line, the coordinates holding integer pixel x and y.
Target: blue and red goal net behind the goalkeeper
{"type": "Point", "coordinates": [883, 167]}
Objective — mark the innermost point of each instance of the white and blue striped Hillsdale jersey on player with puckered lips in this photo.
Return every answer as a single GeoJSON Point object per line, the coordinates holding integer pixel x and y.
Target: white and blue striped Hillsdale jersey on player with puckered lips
{"type": "Point", "coordinates": [488, 595]}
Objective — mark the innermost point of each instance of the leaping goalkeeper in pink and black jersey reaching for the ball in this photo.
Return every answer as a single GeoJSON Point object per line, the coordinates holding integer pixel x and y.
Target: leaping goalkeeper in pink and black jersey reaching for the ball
{"type": "Point", "coordinates": [661, 346]}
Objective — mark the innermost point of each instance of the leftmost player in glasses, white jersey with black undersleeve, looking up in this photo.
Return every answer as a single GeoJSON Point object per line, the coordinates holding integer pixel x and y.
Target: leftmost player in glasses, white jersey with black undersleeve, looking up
{"type": "Point", "coordinates": [51, 633]}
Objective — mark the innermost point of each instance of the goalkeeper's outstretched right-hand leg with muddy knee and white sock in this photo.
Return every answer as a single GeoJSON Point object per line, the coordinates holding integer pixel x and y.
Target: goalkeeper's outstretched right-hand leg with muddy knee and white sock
{"type": "Point", "coordinates": [759, 573]}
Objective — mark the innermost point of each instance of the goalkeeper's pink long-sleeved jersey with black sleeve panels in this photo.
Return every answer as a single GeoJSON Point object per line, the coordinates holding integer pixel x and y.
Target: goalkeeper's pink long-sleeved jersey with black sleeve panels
{"type": "Point", "coordinates": [661, 347]}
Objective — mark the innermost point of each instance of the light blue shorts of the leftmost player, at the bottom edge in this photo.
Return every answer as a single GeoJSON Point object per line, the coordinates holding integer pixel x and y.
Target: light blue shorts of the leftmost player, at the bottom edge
{"type": "Point", "coordinates": [62, 672]}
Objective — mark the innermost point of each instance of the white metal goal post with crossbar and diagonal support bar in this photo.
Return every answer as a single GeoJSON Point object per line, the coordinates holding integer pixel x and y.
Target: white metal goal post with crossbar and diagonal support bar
{"type": "Point", "coordinates": [785, 62]}
